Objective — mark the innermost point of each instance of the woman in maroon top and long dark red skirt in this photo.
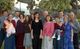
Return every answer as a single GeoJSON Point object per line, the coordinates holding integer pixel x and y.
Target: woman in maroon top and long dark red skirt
{"type": "Point", "coordinates": [20, 32]}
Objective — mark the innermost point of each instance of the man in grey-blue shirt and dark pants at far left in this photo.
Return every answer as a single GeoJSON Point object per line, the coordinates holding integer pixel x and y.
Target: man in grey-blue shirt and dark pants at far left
{"type": "Point", "coordinates": [2, 31]}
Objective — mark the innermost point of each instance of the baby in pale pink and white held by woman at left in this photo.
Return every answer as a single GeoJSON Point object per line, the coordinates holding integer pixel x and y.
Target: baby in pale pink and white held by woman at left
{"type": "Point", "coordinates": [10, 29]}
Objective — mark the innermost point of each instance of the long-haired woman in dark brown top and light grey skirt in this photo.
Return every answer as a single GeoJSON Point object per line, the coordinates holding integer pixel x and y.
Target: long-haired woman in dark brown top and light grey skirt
{"type": "Point", "coordinates": [27, 30]}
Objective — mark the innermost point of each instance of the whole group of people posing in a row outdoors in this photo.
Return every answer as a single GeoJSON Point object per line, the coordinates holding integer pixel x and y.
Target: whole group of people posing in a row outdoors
{"type": "Point", "coordinates": [39, 32]}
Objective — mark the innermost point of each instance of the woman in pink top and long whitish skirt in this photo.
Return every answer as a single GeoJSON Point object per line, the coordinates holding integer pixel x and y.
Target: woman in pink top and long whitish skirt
{"type": "Point", "coordinates": [48, 30]}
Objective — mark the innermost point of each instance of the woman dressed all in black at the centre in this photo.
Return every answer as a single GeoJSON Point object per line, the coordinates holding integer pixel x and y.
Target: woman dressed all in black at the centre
{"type": "Point", "coordinates": [36, 31]}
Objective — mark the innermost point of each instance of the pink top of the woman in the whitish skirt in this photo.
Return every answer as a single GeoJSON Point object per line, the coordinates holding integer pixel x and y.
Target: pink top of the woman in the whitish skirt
{"type": "Point", "coordinates": [48, 29]}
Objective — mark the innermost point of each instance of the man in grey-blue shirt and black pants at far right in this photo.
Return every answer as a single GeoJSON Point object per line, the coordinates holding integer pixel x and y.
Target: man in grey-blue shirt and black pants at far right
{"type": "Point", "coordinates": [76, 28]}
